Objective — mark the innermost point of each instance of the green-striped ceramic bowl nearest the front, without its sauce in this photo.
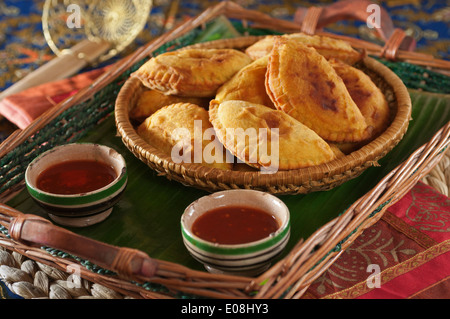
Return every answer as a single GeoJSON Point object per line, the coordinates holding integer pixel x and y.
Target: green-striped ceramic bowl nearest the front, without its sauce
{"type": "Point", "coordinates": [247, 259]}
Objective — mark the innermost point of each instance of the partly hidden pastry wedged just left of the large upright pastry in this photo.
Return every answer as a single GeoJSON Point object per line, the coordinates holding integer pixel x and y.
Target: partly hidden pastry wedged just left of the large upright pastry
{"type": "Point", "coordinates": [248, 84]}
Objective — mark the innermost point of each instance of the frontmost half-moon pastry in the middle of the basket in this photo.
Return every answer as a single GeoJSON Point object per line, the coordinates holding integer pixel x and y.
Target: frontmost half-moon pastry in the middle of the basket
{"type": "Point", "coordinates": [265, 138]}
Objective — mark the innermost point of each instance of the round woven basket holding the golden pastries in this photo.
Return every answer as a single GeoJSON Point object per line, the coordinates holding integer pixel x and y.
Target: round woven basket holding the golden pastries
{"type": "Point", "coordinates": [305, 180]}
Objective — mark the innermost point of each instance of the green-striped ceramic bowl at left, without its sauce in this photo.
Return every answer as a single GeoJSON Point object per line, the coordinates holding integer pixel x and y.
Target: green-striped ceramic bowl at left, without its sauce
{"type": "Point", "coordinates": [82, 209]}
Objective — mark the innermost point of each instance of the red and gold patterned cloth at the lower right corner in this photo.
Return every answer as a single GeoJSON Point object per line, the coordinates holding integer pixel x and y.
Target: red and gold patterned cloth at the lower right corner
{"type": "Point", "coordinates": [410, 241]}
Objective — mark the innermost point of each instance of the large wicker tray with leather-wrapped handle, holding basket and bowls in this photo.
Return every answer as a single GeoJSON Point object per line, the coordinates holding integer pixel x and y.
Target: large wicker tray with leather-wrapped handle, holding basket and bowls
{"type": "Point", "coordinates": [289, 278]}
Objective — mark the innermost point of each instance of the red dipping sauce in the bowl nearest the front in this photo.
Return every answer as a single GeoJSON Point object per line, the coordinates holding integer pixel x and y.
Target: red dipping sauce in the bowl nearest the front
{"type": "Point", "coordinates": [234, 225]}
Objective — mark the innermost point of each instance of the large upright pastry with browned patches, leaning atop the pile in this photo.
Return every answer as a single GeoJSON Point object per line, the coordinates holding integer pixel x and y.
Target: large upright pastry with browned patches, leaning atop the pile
{"type": "Point", "coordinates": [302, 83]}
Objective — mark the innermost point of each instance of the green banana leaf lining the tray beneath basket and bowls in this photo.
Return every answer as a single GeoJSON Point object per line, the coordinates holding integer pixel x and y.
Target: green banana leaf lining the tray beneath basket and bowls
{"type": "Point", "coordinates": [148, 216]}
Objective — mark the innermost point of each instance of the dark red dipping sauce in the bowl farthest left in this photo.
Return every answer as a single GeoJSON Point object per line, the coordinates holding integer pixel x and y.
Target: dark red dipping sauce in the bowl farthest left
{"type": "Point", "coordinates": [75, 177]}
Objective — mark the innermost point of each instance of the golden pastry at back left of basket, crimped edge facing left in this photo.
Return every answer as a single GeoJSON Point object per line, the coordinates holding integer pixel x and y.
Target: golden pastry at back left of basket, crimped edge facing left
{"type": "Point", "coordinates": [192, 72]}
